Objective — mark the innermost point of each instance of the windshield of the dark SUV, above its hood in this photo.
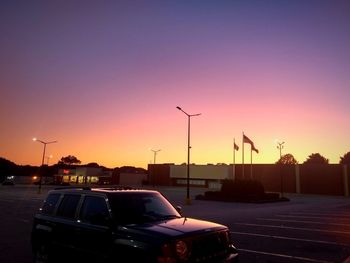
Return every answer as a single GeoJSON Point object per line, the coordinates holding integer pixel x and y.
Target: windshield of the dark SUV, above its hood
{"type": "Point", "coordinates": [134, 207]}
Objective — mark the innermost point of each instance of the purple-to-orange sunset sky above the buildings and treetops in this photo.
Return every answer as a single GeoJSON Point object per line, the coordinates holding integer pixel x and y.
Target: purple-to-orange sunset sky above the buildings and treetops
{"type": "Point", "coordinates": [103, 78]}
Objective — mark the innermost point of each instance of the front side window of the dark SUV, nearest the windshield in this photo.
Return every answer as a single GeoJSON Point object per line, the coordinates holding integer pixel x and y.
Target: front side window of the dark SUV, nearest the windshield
{"type": "Point", "coordinates": [94, 210]}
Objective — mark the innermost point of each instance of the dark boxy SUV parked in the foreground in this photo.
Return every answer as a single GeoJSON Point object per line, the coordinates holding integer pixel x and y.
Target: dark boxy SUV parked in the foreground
{"type": "Point", "coordinates": [123, 225]}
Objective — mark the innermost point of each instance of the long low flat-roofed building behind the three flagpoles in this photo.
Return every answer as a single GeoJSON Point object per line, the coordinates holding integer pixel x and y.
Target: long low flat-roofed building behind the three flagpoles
{"type": "Point", "coordinates": [323, 179]}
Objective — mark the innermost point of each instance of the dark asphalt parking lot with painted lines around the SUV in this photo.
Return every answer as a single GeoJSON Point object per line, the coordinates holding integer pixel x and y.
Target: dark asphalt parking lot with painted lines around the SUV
{"type": "Point", "coordinates": [305, 229]}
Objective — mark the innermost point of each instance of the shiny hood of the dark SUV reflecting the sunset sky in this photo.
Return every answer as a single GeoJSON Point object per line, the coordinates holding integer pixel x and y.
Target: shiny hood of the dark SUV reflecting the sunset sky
{"type": "Point", "coordinates": [178, 227]}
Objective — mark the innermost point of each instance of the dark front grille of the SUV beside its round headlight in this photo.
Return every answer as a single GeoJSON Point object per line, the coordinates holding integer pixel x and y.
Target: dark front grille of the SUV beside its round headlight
{"type": "Point", "coordinates": [209, 248]}
